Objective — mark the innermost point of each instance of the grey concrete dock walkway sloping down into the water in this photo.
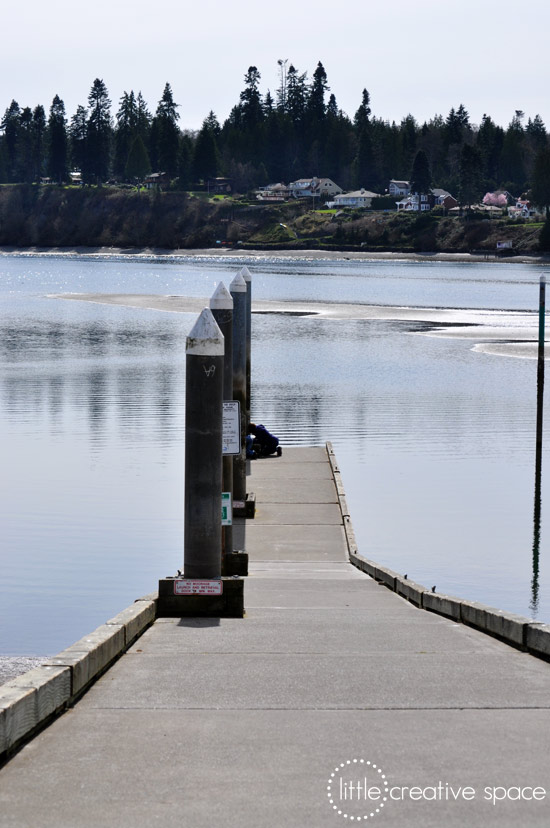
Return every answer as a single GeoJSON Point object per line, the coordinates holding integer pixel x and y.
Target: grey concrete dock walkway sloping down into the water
{"type": "Point", "coordinates": [333, 701]}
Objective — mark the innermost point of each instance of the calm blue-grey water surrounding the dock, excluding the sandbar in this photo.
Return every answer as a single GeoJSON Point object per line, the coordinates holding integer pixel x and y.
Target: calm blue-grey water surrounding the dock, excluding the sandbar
{"type": "Point", "coordinates": [436, 442]}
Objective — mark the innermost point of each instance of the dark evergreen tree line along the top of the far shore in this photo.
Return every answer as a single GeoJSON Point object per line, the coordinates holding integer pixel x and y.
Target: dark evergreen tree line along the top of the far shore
{"type": "Point", "coordinates": [300, 131]}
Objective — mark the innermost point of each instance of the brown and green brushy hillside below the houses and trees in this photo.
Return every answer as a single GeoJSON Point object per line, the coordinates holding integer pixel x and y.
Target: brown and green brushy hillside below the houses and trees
{"type": "Point", "coordinates": [52, 216]}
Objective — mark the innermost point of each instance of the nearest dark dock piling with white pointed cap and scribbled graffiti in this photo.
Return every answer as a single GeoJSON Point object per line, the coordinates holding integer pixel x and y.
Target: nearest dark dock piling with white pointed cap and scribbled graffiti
{"type": "Point", "coordinates": [203, 449]}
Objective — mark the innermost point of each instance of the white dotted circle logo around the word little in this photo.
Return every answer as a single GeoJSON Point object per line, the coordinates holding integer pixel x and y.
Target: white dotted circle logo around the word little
{"type": "Point", "coordinates": [357, 790]}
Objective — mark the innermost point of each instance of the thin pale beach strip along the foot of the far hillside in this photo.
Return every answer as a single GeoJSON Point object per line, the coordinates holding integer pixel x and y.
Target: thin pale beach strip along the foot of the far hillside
{"type": "Point", "coordinates": [259, 253]}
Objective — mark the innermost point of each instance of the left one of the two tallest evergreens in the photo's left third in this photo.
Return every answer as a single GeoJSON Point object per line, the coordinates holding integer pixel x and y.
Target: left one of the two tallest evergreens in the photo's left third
{"type": "Point", "coordinates": [98, 134]}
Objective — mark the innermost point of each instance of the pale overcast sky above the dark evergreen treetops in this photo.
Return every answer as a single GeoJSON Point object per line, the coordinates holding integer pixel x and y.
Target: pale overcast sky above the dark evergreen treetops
{"type": "Point", "coordinates": [421, 57]}
